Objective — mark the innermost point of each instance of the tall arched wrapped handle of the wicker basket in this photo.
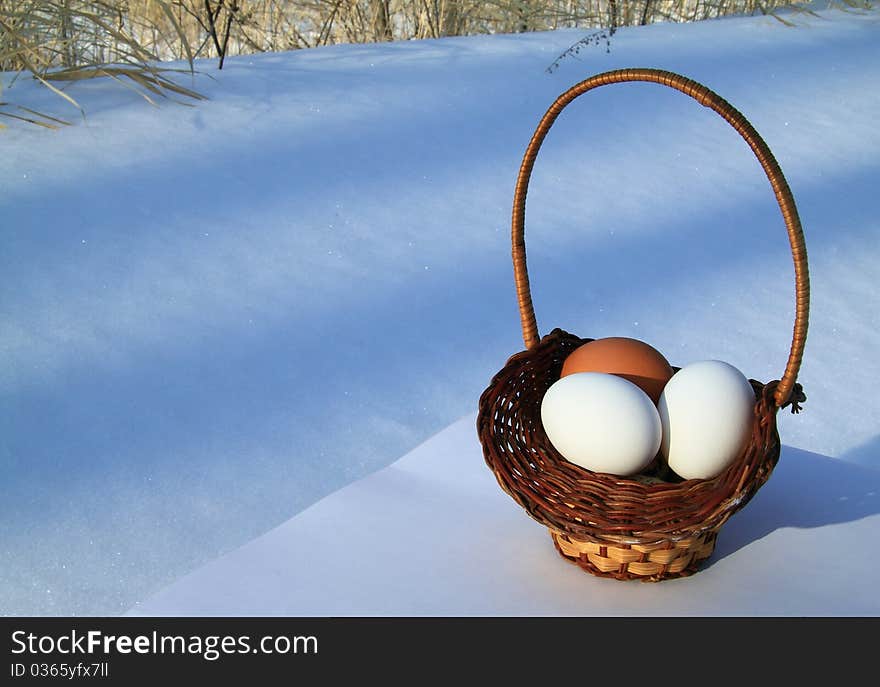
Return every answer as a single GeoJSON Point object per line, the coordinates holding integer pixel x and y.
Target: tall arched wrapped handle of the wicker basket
{"type": "Point", "coordinates": [774, 173]}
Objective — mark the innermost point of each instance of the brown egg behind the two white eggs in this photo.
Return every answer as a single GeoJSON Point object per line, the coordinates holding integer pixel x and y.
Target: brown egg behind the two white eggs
{"type": "Point", "coordinates": [631, 359]}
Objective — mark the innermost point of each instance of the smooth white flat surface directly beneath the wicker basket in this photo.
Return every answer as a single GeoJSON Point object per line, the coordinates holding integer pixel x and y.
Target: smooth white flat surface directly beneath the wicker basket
{"type": "Point", "coordinates": [433, 535]}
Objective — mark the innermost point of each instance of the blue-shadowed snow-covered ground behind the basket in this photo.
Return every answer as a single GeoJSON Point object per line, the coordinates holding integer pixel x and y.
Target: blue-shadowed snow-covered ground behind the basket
{"type": "Point", "coordinates": [211, 317]}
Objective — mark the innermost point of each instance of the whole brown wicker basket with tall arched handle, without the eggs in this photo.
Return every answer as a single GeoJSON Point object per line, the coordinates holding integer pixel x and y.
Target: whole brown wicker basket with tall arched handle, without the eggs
{"type": "Point", "coordinates": [611, 526]}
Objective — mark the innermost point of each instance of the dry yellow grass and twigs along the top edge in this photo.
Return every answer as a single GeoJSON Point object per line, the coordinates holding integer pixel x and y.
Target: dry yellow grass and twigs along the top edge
{"type": "Point", "coordinates": [58, 42]}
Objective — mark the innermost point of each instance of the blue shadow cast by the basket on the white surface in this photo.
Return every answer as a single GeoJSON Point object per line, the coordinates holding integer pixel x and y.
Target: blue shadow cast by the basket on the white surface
{"type": "Point", "coordinates": [805, 490]}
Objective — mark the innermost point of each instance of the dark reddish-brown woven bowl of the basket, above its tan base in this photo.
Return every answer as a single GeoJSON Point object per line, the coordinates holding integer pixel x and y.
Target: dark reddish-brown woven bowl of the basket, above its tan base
{"type": "Point", "coordinates": [600, 506]}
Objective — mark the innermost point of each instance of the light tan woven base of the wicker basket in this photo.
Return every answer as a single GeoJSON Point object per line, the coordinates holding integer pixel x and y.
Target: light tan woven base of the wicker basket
{"type": "Point", "coordinates": [646, 562]}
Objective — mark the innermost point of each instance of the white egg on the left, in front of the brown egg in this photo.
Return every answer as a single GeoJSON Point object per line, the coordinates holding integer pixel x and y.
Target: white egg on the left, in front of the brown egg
{"type": "Point", "coordinates": [601, 422]}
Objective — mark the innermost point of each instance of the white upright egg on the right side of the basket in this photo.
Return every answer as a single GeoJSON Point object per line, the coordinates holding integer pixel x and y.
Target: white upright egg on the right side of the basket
{"type": "Point", "coordinates": [706, 411]}
